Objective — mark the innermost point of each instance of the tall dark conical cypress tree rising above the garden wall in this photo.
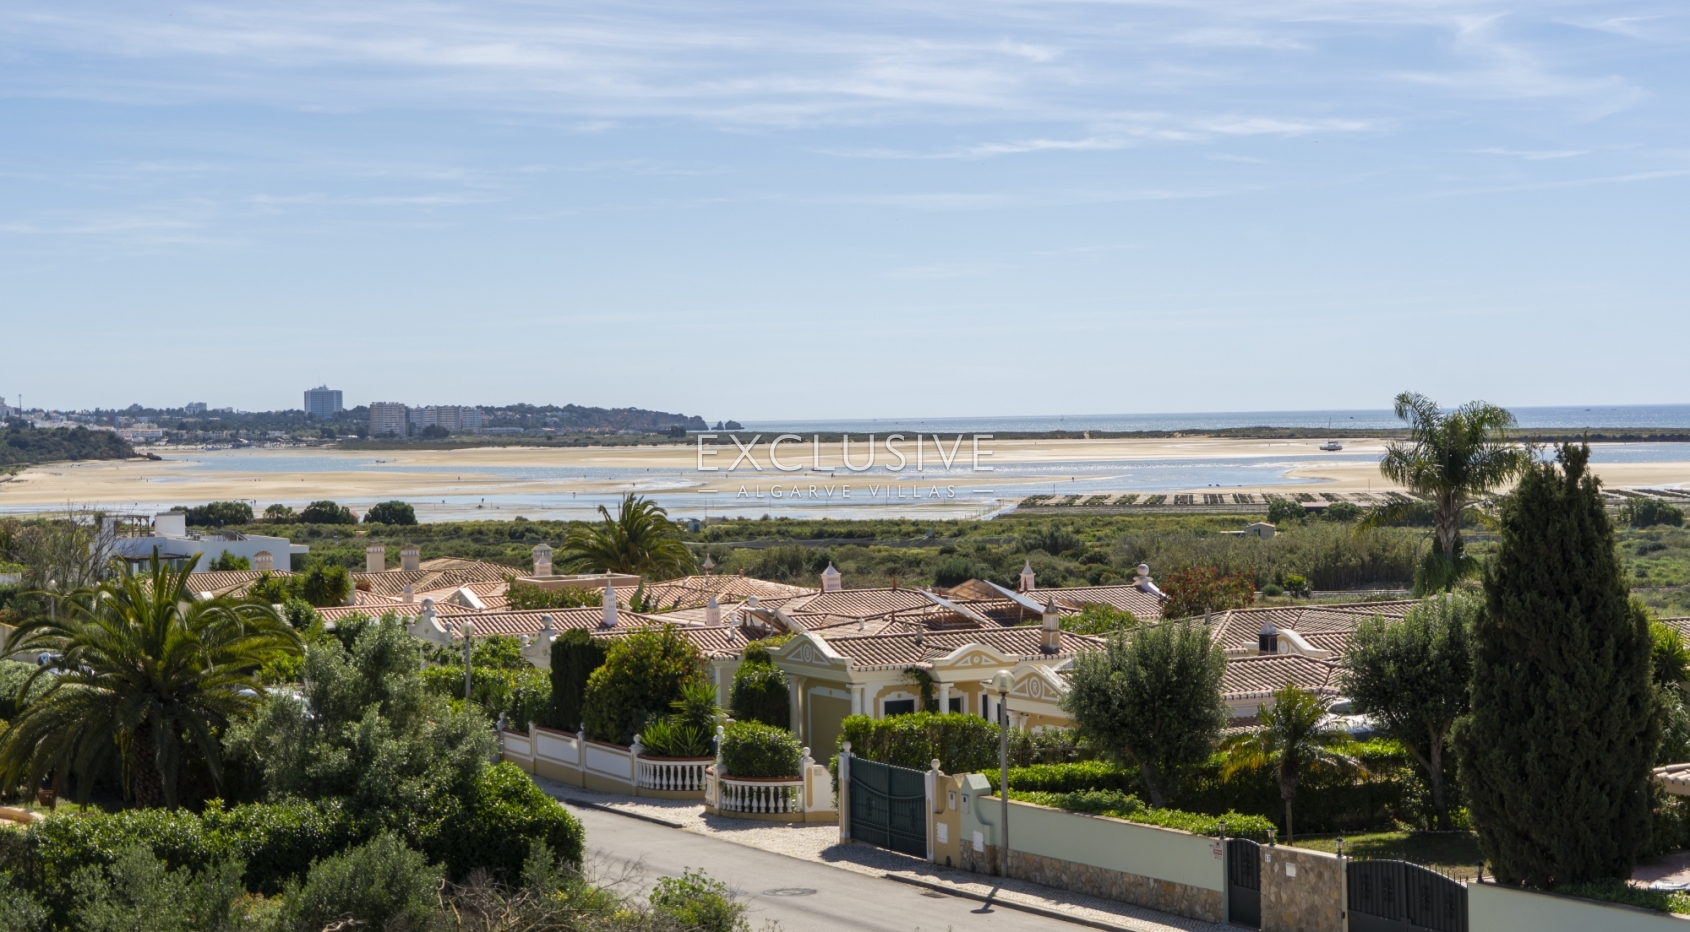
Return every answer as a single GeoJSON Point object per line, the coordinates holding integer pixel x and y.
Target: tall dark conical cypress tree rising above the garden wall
{"type": "Point", "coordinates": [1557, 750]}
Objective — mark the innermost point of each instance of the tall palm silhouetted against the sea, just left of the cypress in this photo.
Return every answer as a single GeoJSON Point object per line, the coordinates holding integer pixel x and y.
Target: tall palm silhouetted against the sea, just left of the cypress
{"type": "Point", "coordinates": [1454, 461]}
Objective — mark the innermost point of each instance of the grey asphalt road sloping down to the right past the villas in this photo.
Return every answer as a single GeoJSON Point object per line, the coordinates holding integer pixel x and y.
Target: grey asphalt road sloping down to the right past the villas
{"type": "Point", "coordinates": [800, 896]}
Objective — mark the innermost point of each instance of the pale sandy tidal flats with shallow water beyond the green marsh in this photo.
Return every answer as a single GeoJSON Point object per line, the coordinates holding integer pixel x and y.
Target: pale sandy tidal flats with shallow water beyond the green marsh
{"type": "Point", "coordinates": [525, 478]}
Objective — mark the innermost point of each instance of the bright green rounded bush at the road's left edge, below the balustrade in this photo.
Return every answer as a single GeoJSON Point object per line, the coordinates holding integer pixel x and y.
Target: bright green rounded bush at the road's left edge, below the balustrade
{"type": "Point", "coordinates": [498, 823]}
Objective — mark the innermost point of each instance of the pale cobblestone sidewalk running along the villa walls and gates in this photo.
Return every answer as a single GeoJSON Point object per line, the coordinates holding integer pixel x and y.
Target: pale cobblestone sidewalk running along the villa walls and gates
{"type": "Point", "coordinates": [822, 843]}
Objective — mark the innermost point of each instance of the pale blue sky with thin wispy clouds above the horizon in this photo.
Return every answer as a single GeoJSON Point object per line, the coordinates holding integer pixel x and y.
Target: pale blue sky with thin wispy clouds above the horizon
{"type": "Point", "coordinates": [832, 211]}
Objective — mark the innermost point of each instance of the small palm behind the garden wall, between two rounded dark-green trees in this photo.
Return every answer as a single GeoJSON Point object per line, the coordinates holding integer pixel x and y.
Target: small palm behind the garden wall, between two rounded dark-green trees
{"type": "Point", "coordinates": [1292, 738]}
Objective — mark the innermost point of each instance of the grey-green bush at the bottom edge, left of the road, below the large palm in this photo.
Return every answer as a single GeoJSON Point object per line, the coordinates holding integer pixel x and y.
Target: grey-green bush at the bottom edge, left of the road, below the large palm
{"type": "Point", "coordinates": [378, 885]}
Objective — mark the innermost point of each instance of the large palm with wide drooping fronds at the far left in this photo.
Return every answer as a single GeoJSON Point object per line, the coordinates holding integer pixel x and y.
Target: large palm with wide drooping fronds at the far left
{"type": "Point", "coordinates": [141, 672]}
